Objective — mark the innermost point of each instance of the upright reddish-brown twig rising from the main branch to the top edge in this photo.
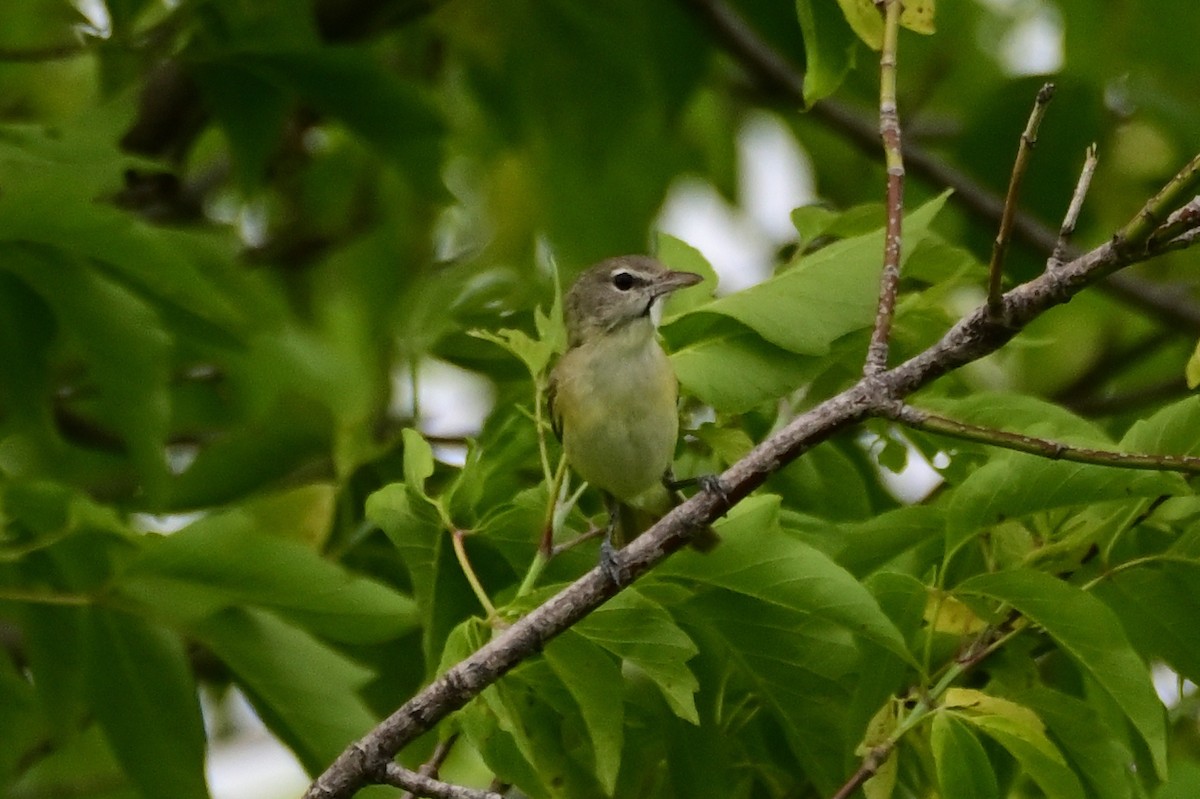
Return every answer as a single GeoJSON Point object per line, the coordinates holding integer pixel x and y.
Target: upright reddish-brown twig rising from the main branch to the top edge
{"type": "Point", "coordinates": [890, 131]}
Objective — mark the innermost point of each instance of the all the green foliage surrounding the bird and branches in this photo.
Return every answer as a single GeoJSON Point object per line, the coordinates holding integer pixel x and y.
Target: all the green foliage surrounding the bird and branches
{"type": "Point", "coordinates": [231, 232]}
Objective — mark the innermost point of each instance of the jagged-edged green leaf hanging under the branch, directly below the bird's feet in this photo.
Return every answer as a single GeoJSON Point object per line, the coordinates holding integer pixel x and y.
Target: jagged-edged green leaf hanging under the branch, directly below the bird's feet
{"type": "Point", "coordinates": [640, 632]}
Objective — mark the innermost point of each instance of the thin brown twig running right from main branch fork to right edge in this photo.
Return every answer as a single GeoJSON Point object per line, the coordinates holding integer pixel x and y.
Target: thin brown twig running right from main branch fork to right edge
{"type": "Point", "coordinates": [1042, 447]}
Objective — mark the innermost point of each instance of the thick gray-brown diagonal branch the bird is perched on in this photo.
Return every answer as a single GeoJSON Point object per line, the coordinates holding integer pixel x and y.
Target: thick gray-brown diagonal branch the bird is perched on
{"type": "Point", "coordinates": [971, 339]}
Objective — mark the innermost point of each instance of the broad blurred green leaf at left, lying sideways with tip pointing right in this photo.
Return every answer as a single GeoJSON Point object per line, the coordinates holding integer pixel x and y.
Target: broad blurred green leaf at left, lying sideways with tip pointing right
{"type": "Point", "coordinates": [224, 561]}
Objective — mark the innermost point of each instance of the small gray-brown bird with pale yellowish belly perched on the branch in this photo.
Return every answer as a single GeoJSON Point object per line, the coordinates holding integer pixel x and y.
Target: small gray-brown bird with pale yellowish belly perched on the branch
{"type": "Point", "coordinates": [614, 395]}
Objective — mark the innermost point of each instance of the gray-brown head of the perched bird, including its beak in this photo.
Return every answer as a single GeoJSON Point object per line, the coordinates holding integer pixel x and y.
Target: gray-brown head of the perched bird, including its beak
{"type": "Point", "coordinates": [617, 292]}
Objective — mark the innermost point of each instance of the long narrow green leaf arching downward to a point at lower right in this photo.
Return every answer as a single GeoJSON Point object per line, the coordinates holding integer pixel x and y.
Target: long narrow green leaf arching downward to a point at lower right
{"type": "Point", "coordinates": [1091, 634]}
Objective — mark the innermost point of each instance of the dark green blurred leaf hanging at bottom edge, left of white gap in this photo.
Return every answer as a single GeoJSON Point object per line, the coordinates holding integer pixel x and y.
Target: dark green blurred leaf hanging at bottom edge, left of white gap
{"type": "Point", "coordinates": [141, 688]}
